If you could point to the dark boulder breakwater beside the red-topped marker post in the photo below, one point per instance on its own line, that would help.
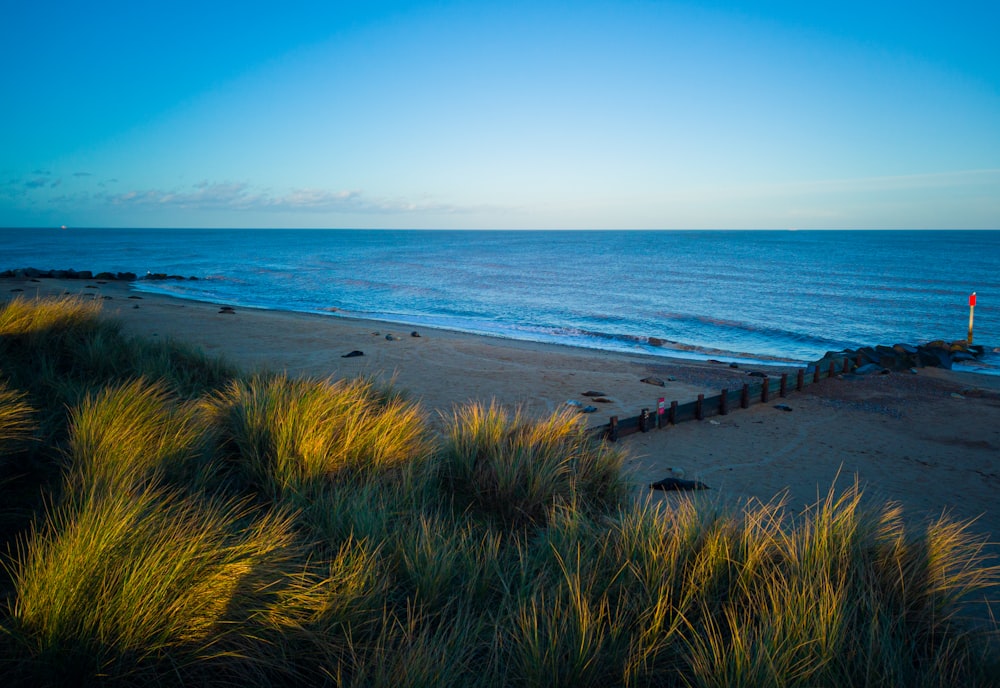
(936, 354)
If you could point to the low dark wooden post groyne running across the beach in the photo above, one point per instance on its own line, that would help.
(761, 390)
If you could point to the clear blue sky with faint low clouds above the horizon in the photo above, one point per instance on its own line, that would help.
(541, 114)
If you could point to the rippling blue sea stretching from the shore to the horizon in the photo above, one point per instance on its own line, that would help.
(736, 296)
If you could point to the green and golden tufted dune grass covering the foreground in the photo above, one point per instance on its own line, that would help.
(200, 527)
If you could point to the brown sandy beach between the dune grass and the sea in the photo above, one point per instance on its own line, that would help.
(929, 441)
